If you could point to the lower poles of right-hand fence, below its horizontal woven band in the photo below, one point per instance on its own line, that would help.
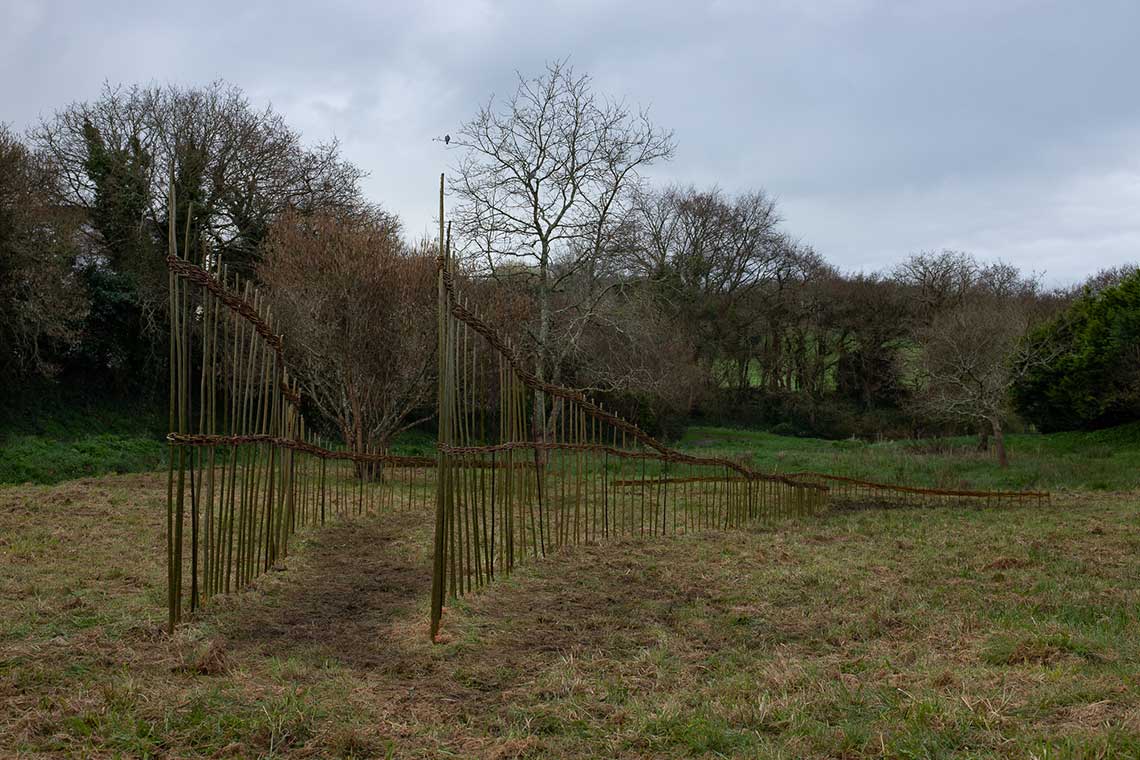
(503, 511)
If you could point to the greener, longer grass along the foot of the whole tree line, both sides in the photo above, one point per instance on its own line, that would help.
(83, 442)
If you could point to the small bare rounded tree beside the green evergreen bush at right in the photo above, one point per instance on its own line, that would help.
(973, 354)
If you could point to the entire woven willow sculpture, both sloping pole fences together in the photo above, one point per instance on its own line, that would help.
(247, 473)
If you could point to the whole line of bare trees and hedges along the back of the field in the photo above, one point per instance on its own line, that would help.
(672, 303)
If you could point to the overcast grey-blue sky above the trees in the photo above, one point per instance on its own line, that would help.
(1008, 129)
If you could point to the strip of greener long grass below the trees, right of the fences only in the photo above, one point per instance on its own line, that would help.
(1103, 461)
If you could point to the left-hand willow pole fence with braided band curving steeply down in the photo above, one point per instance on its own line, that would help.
(246, 473)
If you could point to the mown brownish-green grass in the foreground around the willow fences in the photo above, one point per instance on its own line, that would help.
(874, 634)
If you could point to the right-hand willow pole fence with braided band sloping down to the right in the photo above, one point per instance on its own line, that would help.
(527, 468)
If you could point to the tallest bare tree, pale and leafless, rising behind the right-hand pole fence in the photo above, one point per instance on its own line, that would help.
(545, 184)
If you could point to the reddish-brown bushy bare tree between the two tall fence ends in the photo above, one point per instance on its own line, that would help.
(356, 307)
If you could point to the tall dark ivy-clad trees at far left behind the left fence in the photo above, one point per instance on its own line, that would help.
(95, 181)
